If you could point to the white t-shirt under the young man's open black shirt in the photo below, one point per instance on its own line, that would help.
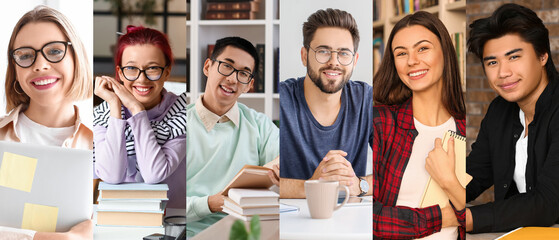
(521, 156)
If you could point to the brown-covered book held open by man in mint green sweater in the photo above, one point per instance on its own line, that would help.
(250, 176)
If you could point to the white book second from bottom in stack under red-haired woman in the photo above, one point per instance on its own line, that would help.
(131, 204)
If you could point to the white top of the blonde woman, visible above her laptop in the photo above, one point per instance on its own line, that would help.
(29, 131)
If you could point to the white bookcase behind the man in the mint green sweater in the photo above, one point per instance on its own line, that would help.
(264, 29)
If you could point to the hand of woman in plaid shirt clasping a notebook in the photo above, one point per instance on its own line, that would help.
(440, 164)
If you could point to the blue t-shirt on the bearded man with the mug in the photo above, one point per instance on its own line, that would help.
(304, 142)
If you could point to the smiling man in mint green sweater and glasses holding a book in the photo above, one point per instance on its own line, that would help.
(222, 134)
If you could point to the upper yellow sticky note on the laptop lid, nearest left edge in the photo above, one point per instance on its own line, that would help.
(17, 171)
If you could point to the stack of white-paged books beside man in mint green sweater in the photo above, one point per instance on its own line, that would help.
(244, 203)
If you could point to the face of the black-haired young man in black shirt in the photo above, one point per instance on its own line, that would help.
(513, 69)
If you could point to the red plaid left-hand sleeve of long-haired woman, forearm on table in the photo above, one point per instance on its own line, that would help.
(398, 222)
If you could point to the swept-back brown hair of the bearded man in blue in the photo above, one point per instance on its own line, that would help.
(330, 18)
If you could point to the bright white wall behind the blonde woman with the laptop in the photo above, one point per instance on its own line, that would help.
(80, 14)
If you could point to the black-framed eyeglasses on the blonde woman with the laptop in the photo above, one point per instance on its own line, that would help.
(53, 52)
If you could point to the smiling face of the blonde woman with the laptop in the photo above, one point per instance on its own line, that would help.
(44, 82)
